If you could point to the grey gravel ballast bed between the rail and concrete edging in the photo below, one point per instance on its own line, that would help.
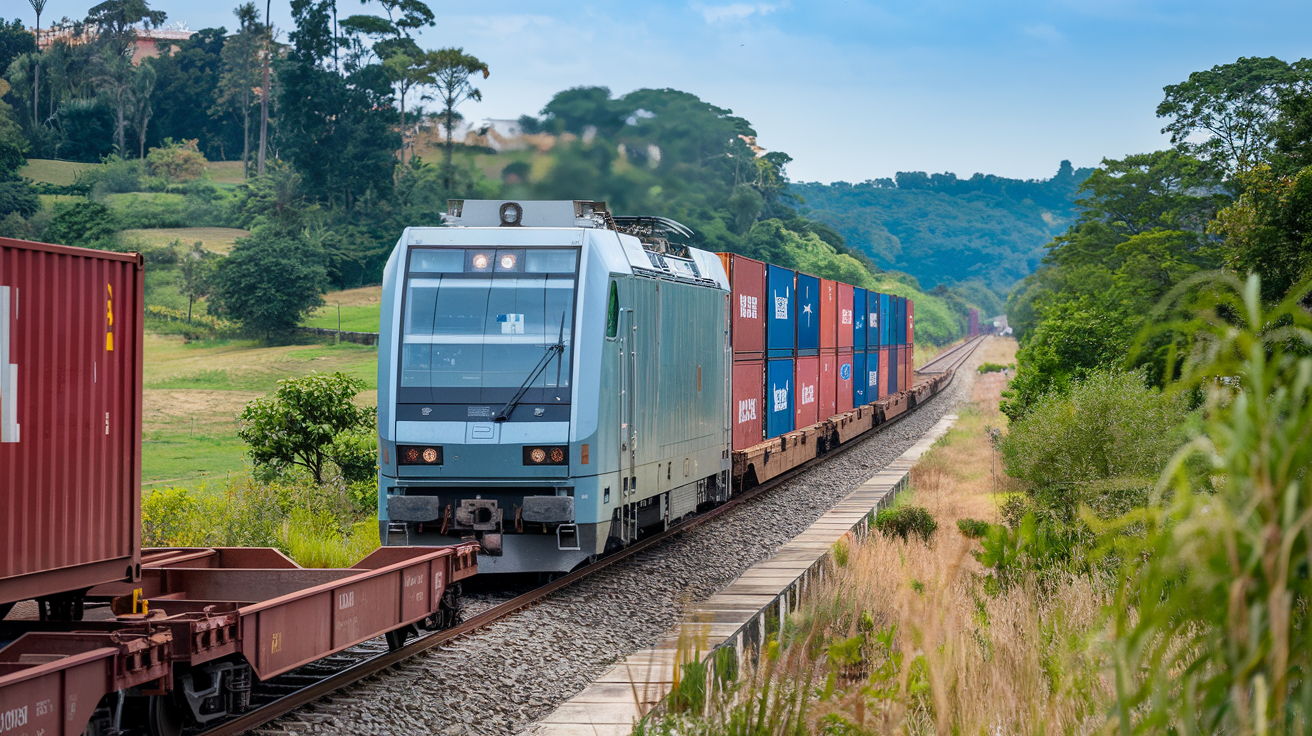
(503, 679)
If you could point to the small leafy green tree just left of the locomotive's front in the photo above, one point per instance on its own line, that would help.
(309, 422)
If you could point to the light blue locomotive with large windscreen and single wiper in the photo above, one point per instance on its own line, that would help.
(553, 381)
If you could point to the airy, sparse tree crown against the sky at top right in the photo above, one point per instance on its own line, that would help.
(1234, 107)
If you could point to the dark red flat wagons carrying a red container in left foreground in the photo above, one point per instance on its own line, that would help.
(98, 636)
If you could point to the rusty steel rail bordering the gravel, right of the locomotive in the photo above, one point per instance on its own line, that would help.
(355, 674)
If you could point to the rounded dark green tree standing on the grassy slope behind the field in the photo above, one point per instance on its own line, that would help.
(271, 281)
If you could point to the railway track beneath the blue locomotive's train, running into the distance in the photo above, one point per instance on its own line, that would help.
(312, 683)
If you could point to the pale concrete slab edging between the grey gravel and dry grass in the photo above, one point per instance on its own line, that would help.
(738, 617)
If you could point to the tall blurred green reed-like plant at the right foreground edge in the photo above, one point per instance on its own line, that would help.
(1210, 626)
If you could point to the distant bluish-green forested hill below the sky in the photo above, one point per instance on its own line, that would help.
(947, 230)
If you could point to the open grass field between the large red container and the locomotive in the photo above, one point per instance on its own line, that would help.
(196, 390)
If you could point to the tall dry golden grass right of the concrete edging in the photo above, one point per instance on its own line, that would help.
(918, 638)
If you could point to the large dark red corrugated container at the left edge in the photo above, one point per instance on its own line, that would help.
(70, 419)
